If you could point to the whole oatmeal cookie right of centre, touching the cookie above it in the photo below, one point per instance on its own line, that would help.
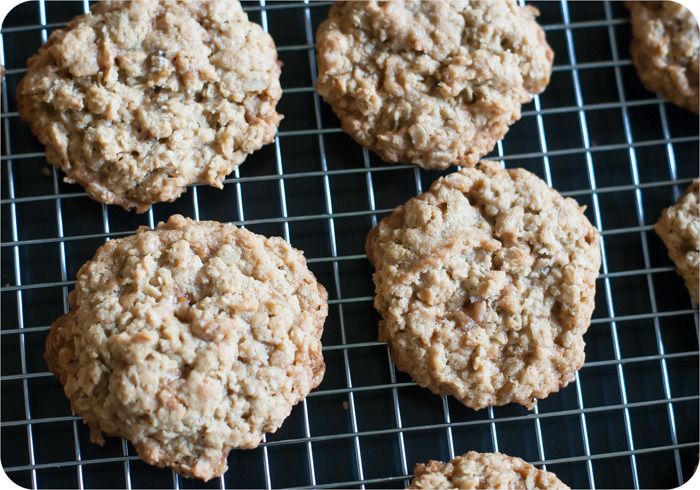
(486, 285)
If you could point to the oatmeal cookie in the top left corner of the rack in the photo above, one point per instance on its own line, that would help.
(136, 100)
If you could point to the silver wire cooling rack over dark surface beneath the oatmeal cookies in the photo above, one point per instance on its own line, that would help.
(631, 418)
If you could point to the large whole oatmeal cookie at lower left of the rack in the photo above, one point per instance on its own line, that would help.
(189, 340)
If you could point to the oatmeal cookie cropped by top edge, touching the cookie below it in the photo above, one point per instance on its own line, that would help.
(432, 83)
